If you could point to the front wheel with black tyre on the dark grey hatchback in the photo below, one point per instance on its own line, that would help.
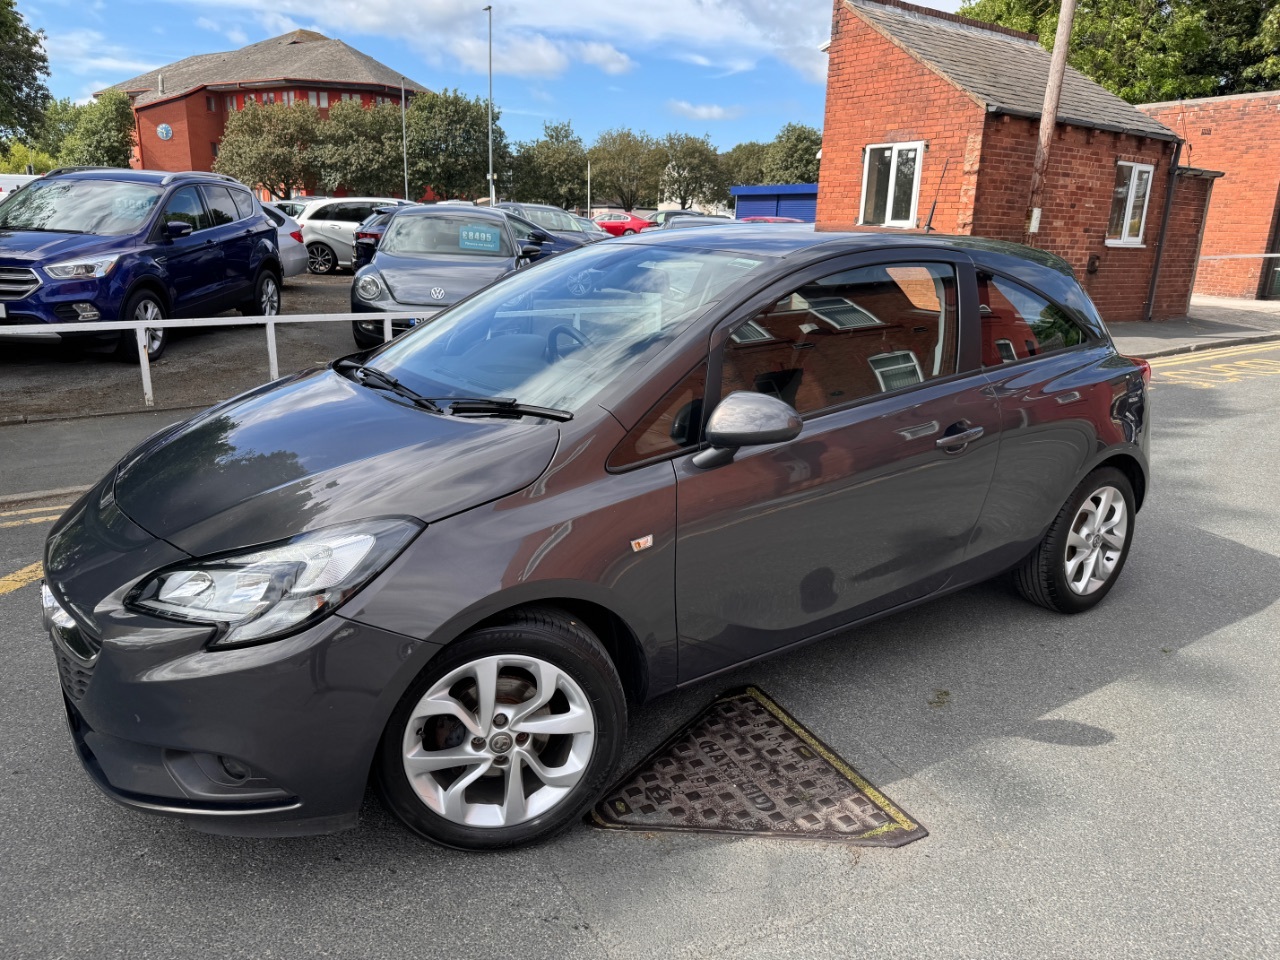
(508, 737)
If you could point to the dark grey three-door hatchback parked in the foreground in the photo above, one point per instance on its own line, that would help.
(456, 563)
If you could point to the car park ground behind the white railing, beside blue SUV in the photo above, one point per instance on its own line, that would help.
(199, 368)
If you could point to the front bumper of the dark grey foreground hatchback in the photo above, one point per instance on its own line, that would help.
(268, 740)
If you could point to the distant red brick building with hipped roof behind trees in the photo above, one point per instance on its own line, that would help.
(182, 109)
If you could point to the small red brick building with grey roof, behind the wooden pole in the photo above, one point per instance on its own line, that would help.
(936, 116)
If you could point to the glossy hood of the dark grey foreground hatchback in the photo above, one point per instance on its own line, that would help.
(314, 451)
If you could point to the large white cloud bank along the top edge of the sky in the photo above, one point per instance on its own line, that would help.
(543, 40)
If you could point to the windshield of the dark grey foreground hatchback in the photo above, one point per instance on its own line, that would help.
(557, 335)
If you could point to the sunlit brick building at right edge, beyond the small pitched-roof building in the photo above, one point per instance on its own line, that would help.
(1240, 135)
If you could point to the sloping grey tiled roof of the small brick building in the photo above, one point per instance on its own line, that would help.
(1005, 74)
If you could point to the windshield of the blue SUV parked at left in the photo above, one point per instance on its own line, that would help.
(102, 208)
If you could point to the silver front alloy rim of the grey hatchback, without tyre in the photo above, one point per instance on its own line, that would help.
(499, 742)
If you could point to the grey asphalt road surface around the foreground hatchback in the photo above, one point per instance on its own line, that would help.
(1100, 787)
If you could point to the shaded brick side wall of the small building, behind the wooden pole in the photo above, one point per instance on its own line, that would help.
(1078, 189)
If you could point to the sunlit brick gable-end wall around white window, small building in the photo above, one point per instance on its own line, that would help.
(880, 94)
